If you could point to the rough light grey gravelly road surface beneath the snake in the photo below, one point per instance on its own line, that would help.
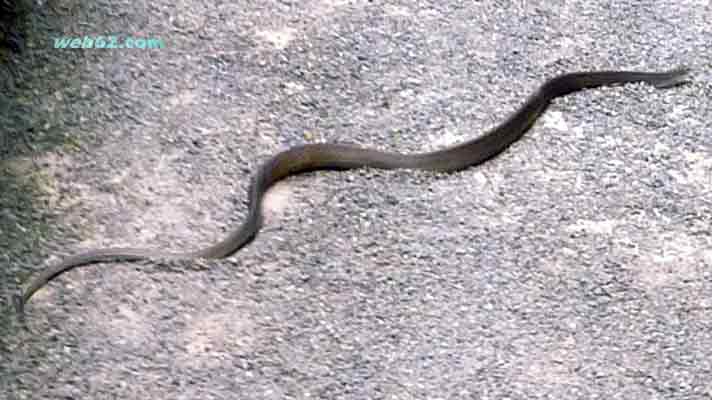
(578, 264)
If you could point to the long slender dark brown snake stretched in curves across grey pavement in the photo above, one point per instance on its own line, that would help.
(335, 156)
